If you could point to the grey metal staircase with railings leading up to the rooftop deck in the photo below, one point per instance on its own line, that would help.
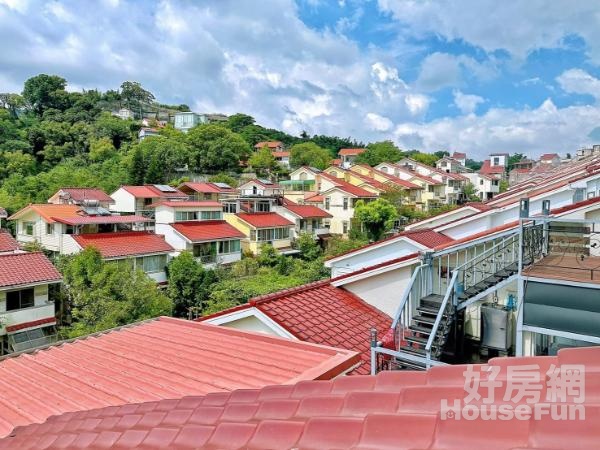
(427, 314)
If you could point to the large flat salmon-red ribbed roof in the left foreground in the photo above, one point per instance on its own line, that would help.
(162, 359)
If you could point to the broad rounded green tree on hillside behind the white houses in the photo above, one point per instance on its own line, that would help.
(215, 148)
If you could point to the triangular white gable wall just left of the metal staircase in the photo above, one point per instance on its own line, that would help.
(383, 291)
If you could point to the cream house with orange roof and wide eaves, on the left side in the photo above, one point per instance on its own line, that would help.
(53, 226)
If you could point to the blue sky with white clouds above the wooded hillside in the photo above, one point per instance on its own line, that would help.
(477, 76)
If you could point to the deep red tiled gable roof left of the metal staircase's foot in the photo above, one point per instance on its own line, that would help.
(323, 314)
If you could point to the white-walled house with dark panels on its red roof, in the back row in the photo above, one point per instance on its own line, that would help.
(138, 199)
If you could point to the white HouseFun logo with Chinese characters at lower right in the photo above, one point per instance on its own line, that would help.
(524, 394)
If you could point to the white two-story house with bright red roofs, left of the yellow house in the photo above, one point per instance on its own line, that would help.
(198, 227)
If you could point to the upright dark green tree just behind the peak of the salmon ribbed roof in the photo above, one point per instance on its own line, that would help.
(186, 284)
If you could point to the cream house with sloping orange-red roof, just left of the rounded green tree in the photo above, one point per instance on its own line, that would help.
(339, 199)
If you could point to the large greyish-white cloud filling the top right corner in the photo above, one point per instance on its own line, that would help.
(518, 26)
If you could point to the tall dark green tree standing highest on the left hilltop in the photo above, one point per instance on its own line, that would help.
(43, 92)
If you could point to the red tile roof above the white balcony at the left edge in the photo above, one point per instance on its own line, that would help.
(26, 268)
